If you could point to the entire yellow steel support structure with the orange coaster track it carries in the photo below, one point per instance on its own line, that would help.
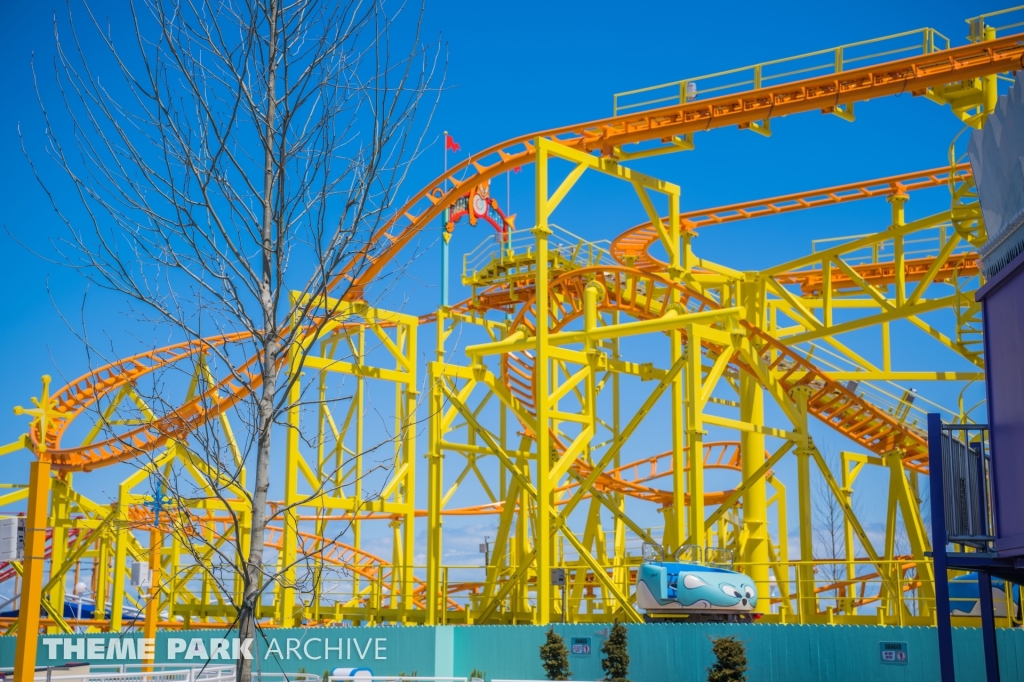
(588, 399)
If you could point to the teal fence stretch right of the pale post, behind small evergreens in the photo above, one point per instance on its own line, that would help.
(777, 654)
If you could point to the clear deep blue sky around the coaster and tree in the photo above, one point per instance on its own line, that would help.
(515, 68)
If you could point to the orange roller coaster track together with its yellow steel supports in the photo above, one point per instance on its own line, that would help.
(755, 334)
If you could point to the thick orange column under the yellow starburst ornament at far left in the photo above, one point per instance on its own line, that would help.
(33, 568)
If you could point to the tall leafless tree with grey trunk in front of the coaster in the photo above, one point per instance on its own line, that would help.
(224, 163)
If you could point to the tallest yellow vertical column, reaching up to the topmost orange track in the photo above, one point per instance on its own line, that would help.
(545, 493)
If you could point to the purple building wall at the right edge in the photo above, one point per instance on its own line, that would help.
(1003, 305)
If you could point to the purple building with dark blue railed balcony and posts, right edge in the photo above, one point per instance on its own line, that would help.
(977, 473)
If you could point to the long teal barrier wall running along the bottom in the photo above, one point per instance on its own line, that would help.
(659, 652)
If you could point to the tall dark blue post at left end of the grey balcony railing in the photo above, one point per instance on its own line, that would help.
(947, 671)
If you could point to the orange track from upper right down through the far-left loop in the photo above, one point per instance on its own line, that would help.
(914, 74)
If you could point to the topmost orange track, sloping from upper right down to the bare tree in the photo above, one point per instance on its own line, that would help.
(915, 75)
